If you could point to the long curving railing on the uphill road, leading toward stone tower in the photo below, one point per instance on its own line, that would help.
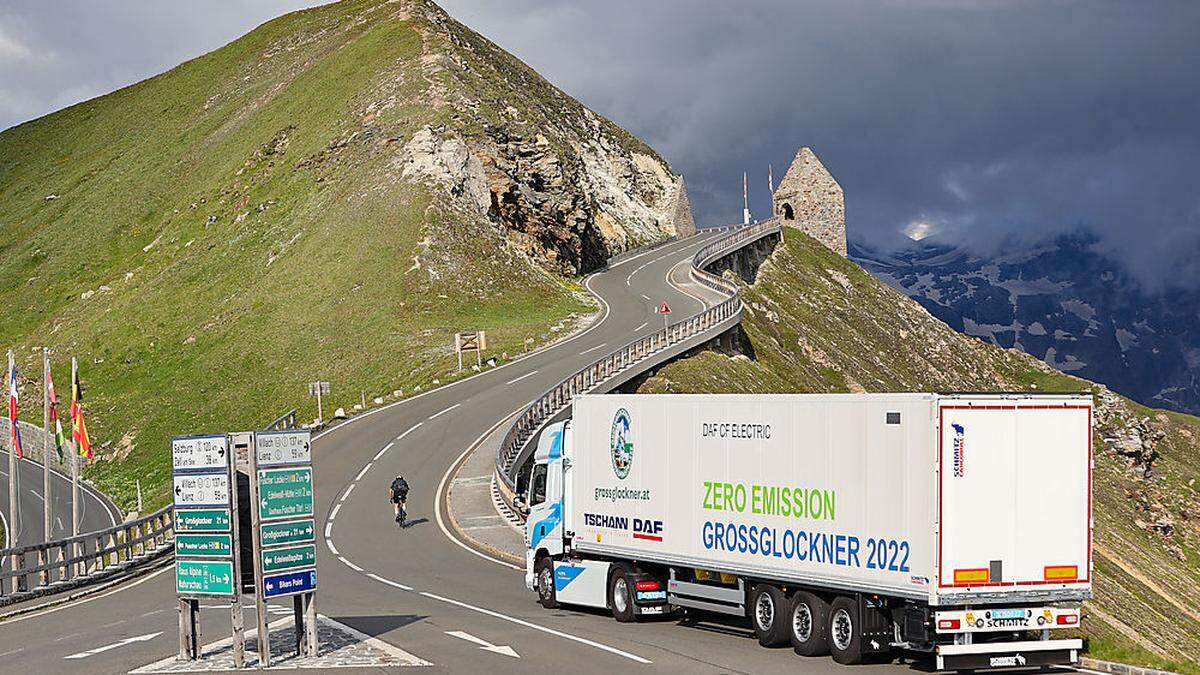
(635, 355)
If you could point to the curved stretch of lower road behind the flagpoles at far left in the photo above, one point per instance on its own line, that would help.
(95, 511)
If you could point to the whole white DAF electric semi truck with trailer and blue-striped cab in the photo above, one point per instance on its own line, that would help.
(958, 525)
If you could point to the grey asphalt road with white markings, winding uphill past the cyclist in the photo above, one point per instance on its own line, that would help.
(415, 587)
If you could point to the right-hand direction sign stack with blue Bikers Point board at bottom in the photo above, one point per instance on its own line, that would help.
(285, 534)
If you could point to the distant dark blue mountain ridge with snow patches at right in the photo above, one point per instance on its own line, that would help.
(1066, 303)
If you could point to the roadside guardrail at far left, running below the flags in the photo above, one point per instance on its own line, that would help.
(38, 570)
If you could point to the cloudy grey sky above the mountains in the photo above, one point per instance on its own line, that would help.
(987, 120)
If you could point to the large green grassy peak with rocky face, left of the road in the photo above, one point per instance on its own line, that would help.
(290, 208)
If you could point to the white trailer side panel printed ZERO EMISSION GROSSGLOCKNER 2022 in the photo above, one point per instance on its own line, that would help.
(829, 489)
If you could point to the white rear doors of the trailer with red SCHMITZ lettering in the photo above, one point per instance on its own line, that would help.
(1015, 505)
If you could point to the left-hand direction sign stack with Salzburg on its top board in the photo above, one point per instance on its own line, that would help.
(207, 554)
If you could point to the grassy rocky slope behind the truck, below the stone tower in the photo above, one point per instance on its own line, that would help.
(817, 322)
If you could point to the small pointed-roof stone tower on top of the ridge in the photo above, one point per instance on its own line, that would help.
(812, 201)
